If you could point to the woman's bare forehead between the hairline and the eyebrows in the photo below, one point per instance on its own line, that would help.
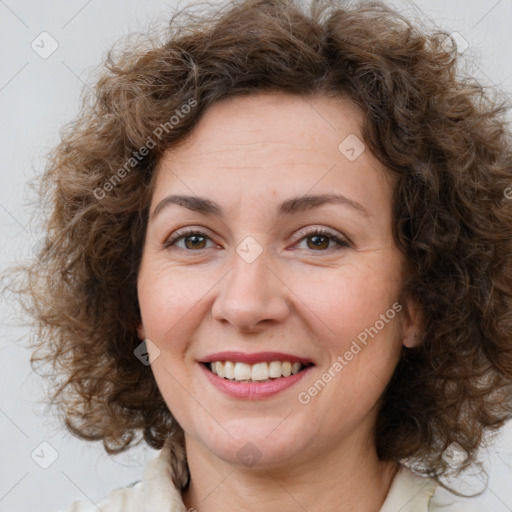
(274, 143)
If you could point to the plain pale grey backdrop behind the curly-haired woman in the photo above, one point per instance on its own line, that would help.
(37, 96)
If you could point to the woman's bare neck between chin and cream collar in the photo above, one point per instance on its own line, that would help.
(343, 480)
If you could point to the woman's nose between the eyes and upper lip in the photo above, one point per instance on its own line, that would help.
(252, 295)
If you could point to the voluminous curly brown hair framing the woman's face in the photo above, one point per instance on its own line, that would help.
(443, 136)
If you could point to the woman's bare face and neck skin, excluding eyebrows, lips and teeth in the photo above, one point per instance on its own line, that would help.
(248, 155)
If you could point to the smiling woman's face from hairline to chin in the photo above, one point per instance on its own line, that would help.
(253, 289)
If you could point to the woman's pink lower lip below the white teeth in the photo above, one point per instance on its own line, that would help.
(253, 390)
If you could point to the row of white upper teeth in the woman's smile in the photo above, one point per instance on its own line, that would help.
(256, 372)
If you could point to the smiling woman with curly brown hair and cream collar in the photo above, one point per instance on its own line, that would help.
(279, 250)
